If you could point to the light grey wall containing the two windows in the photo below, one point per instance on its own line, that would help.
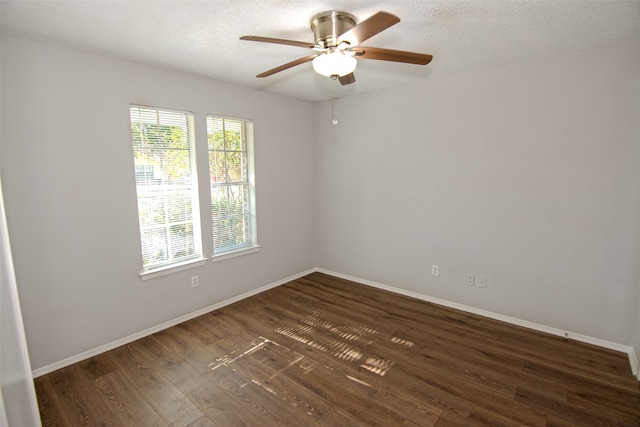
(67, 172)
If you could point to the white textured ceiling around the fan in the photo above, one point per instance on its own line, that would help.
(202, 37)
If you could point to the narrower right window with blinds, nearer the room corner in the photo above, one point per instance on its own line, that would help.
(232, 181)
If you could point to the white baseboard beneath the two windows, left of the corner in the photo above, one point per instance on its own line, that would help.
(128, 339)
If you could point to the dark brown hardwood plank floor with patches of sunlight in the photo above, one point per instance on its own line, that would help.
(325, 351)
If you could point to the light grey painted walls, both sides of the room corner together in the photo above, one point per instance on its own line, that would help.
(525, 173)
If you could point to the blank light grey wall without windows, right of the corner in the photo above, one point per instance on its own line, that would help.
(526, 173)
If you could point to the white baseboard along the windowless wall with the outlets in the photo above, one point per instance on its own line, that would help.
(512, 320)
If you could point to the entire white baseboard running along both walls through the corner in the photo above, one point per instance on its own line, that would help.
(633, 360)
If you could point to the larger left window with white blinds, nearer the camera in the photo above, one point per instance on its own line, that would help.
(166, 184)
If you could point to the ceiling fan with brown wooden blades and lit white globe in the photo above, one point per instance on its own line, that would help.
(337, 43)
